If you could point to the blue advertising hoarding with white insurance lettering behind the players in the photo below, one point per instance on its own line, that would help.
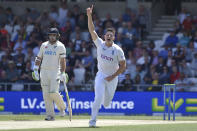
(128, 103)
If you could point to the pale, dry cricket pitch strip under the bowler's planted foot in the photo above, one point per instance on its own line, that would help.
(25, 124)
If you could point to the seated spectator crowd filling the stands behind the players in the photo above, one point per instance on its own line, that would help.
(174, 62)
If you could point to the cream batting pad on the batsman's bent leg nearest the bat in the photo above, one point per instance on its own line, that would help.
(57, 98)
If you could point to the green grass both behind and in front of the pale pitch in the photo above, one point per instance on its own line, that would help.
(153, 127)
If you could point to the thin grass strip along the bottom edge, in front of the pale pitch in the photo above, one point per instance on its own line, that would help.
(174, 127)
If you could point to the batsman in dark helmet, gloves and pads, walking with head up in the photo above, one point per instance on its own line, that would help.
(52, 56)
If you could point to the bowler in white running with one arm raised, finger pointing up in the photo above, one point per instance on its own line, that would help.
(111, 63)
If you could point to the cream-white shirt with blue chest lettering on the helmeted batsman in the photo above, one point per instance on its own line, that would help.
(51, 55)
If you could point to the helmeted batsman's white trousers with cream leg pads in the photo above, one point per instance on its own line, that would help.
(50, 90)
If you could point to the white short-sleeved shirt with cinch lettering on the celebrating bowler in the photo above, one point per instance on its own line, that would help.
(108, 57)
